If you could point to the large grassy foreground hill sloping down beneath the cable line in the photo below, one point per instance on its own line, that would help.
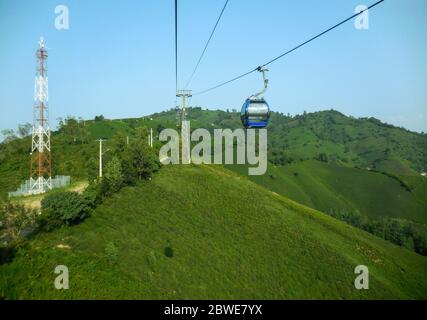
(205, 232)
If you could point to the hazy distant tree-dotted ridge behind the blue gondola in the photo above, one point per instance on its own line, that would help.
(330, 136)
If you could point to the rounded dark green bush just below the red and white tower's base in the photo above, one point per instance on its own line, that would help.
(64, 208)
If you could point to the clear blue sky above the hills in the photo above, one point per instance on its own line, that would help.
(117, 58)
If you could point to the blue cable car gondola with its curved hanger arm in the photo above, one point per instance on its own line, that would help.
(255, 112)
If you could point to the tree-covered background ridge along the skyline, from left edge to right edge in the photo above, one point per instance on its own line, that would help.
(327, 135)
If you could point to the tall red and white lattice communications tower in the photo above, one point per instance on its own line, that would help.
(41, 175)
